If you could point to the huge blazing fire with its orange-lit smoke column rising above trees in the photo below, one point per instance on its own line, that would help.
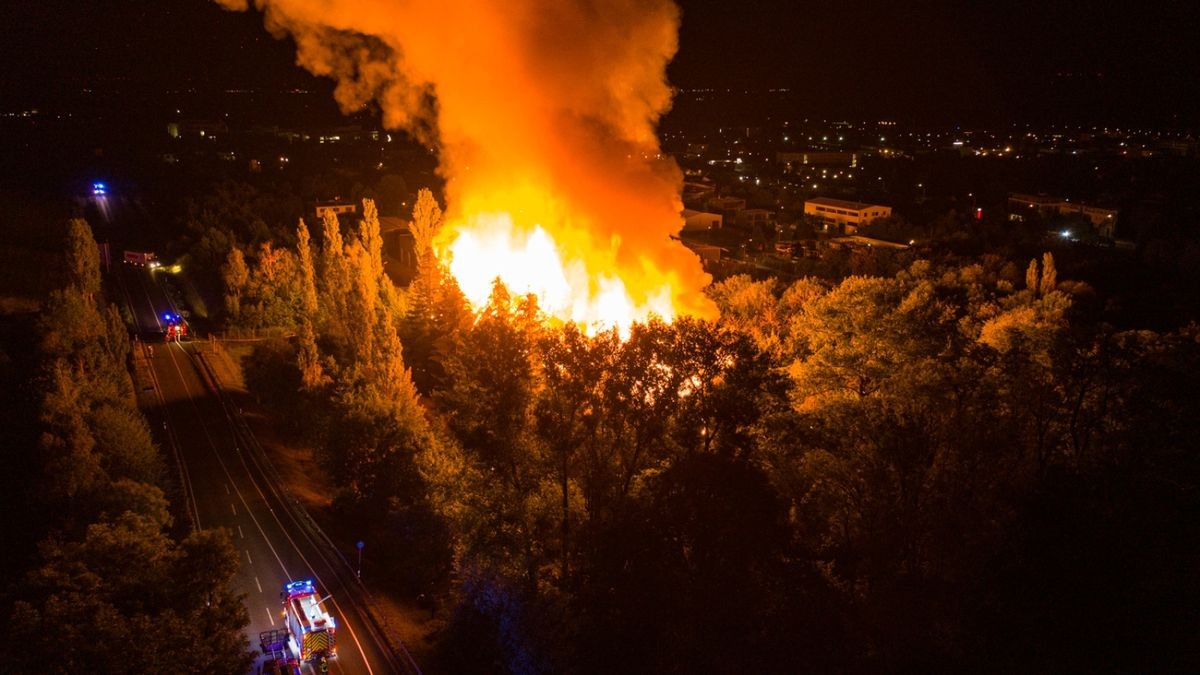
(544, 116)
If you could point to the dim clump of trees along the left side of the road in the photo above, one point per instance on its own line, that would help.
(115, 587)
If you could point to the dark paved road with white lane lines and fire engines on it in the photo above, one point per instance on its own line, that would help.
(229, 486)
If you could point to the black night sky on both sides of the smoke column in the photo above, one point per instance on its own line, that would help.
(939, 61)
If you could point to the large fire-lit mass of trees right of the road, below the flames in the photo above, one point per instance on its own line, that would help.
(953, 468)
